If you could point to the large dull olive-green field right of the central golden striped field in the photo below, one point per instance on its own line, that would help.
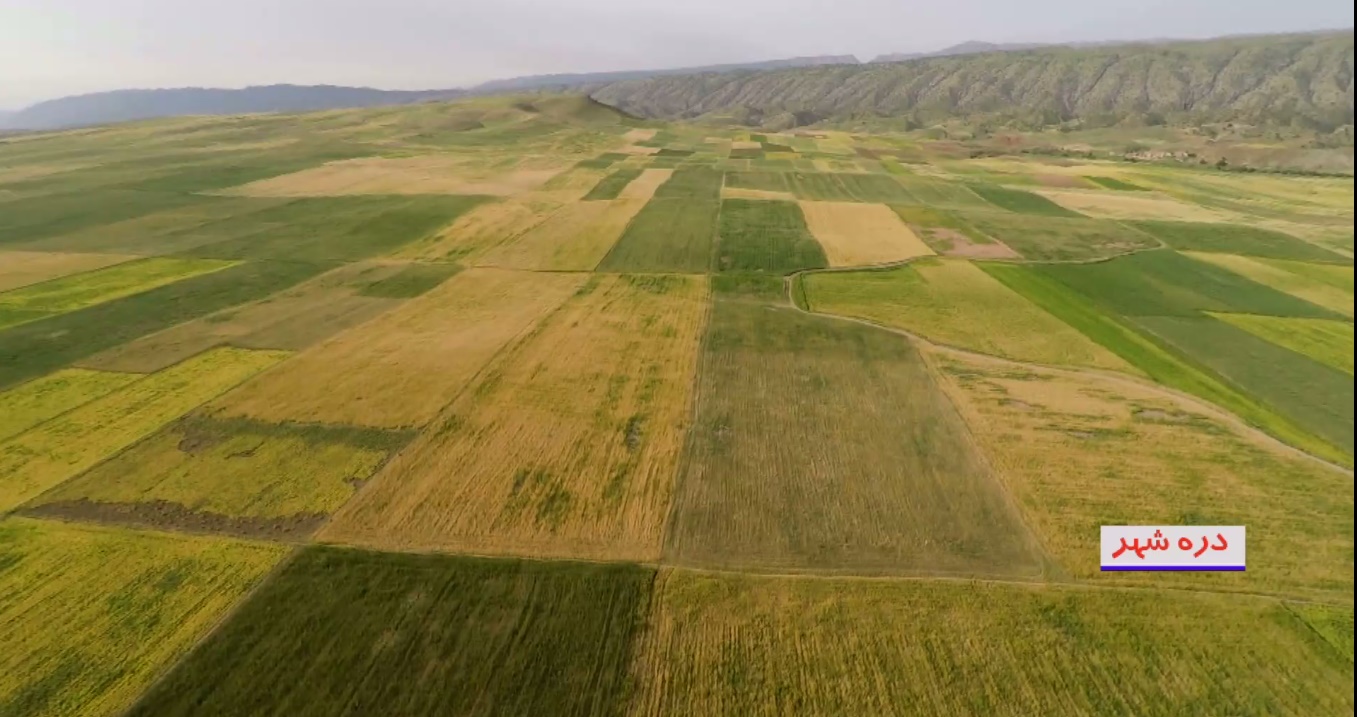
(900, 488)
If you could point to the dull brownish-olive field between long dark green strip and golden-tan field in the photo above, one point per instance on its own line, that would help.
(295, 320)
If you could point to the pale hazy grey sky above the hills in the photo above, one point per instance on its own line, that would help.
(54, 48)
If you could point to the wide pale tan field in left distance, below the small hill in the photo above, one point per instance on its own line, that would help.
(398, 176)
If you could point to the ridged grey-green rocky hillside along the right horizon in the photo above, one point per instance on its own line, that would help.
(1280, 79)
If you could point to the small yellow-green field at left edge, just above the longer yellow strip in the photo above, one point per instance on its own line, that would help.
(33, 403)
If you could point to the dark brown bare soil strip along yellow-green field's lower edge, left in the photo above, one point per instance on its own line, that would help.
(166, 515)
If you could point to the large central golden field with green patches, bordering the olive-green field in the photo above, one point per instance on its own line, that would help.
(568, 447)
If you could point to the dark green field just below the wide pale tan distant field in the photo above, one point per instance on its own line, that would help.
(336, 229)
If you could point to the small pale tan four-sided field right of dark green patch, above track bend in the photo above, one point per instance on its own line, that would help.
(857, 234)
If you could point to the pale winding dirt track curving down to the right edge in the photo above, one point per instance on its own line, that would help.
(1244, 427)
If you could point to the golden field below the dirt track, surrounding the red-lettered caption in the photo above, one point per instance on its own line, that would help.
(1082, 450)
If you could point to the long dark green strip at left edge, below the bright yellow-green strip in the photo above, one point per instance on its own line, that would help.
(50, 344)
